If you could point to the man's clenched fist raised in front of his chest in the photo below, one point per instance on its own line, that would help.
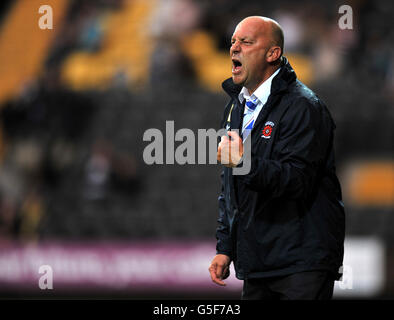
(230, 150)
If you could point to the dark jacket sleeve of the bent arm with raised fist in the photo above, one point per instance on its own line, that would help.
(299, 150)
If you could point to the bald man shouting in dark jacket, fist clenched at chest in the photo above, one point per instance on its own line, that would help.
(282, 224)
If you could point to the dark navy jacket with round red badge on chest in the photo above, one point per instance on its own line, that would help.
(286, 215)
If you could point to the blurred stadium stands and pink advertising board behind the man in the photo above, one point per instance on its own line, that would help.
(75, 101)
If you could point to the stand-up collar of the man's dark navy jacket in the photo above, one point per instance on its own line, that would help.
(280, 83)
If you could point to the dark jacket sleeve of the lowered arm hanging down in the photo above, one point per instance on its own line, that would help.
(224, 242)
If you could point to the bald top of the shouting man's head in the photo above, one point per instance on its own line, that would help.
(267, 27)
